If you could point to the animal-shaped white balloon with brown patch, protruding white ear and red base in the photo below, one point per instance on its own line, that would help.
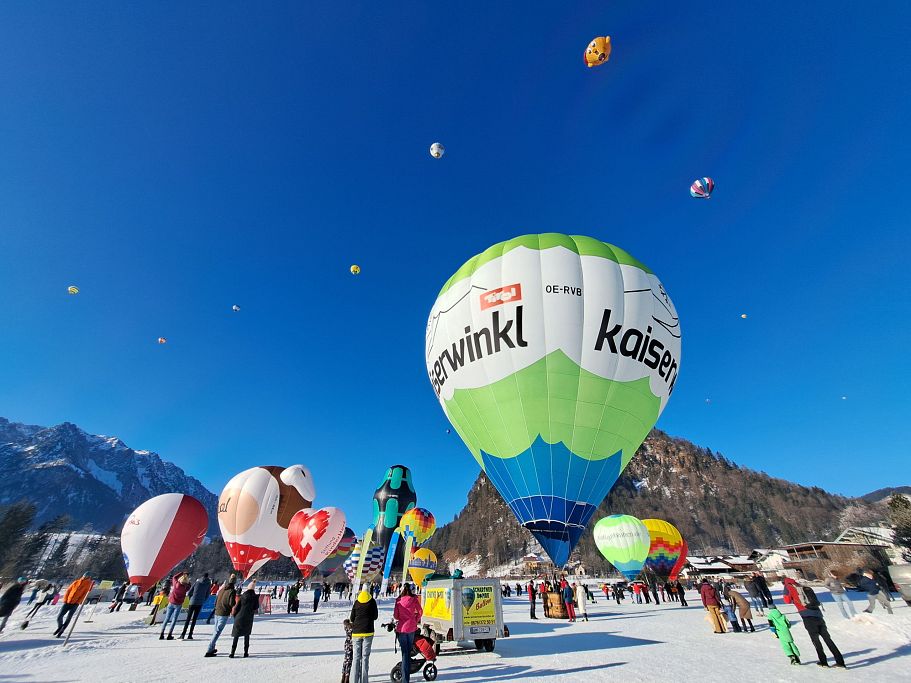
(254, 511)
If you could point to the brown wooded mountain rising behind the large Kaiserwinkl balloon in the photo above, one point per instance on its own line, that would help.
(718, 507)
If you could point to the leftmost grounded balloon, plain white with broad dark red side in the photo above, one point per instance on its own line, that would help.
(160, 534)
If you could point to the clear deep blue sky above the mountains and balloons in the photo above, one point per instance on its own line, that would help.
(173, 159)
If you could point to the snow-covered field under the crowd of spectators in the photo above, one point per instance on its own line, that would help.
(627, 642)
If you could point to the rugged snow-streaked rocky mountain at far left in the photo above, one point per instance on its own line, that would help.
(96, 480)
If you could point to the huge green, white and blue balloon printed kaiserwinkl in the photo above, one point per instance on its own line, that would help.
(553, 356)
